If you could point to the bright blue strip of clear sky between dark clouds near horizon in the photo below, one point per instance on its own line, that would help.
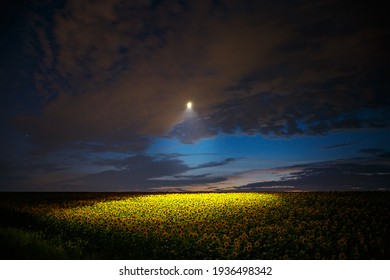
(257, 158)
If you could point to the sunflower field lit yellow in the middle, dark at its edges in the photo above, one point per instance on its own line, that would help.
(195, 225)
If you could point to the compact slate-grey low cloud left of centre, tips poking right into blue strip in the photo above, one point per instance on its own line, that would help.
(144, 173)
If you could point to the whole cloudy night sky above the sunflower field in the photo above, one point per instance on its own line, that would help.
(287, 95)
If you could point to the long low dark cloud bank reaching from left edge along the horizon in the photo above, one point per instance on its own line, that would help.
(133, 173)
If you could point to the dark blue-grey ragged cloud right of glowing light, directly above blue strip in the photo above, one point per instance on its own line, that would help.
(289, 114)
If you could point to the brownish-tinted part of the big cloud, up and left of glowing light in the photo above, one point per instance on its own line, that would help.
(139, 79)
